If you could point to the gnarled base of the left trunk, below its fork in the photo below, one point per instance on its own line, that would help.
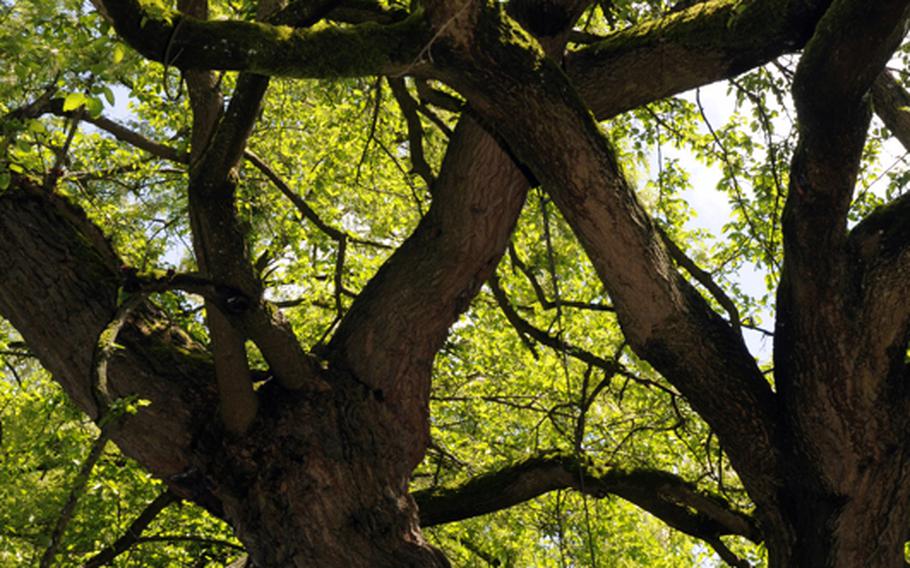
(317, 482)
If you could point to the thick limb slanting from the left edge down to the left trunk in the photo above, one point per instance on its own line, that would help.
(58, 288)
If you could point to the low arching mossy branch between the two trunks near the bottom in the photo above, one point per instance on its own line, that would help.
(666, 496)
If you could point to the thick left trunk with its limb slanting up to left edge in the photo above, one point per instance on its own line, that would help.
(320, 479)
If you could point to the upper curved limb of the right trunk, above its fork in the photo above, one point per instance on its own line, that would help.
(852, 43)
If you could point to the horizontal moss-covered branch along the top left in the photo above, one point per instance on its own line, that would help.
(193, 43)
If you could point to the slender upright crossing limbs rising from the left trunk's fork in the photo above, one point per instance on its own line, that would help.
(220, 244)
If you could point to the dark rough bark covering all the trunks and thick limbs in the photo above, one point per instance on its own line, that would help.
(320, 476)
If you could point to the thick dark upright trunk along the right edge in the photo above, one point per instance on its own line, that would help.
(841, 336)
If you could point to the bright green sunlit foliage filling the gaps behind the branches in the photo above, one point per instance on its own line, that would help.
(499, 394)
